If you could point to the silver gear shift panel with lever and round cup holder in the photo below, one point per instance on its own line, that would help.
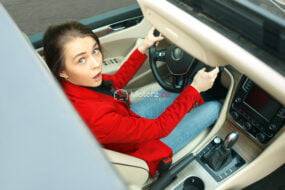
(214, 163)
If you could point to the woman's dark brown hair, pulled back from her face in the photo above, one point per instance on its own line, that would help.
(56, 37)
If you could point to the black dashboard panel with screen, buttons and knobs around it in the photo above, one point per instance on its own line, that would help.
(256, 112)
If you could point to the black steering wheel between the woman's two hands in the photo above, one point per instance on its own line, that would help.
(181, 67)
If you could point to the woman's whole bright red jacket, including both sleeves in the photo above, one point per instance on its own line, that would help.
(117, 128)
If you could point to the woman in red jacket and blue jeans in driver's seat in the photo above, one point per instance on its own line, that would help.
(73, 54)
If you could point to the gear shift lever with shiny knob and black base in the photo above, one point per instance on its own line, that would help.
(220, 154)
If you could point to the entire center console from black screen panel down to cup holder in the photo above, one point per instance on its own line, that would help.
(257, 114)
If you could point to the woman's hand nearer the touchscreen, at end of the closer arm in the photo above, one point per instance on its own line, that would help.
(203, 80)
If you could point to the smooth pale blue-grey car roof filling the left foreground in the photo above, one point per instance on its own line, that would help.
(44, 144)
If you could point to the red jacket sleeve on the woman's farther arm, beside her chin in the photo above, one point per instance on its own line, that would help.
(126, 72)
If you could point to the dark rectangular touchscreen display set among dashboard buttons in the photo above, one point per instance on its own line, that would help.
(262, 103)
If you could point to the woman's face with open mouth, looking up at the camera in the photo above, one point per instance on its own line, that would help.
(83, 62)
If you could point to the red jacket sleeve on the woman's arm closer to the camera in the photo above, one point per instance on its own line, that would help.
(112, 127)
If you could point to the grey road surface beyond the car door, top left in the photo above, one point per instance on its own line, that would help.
(35, 16)
